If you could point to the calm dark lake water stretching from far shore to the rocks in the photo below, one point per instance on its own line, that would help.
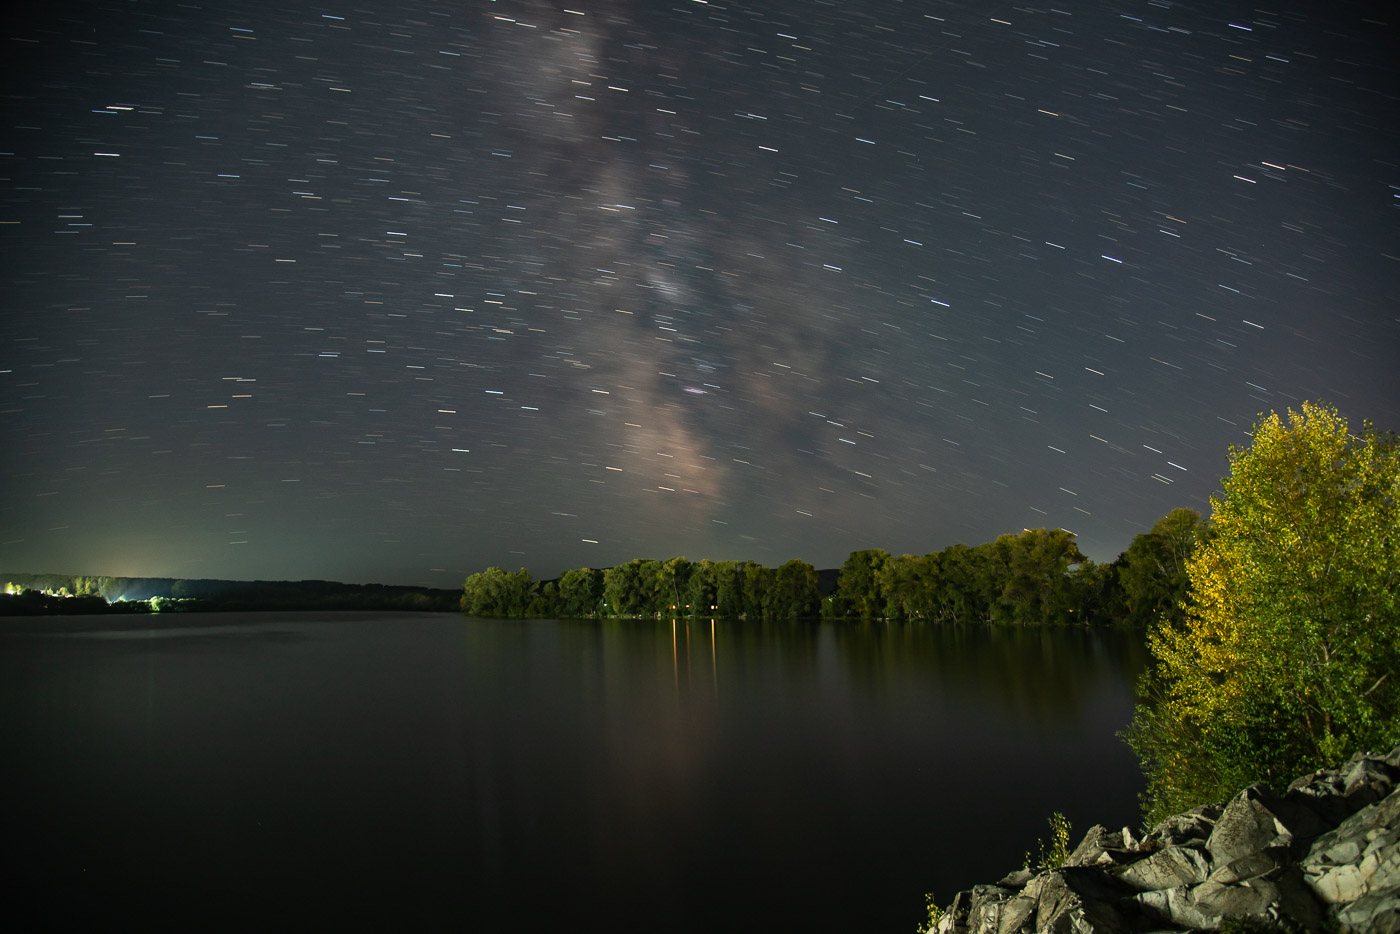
(264, 772)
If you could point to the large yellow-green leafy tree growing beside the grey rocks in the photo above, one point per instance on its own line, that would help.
(1289, 653)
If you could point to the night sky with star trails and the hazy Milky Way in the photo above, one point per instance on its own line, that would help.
(394, 292)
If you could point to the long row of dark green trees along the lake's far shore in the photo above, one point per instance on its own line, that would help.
(1032, 578)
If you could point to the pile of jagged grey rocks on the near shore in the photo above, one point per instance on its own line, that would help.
(1325, 855)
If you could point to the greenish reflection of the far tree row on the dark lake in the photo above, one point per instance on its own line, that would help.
(1025, 671)
